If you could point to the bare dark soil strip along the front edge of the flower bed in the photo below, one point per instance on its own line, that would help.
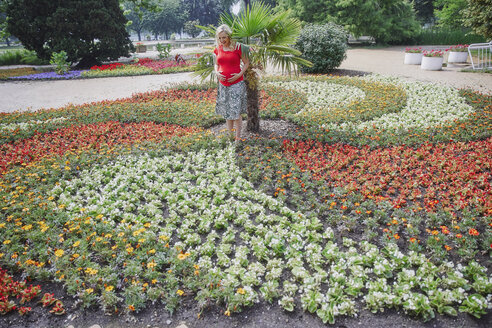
(262, 315)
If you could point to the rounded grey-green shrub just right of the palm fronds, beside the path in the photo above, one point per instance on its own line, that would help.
(324, 45)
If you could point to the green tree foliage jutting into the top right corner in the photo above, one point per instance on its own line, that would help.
(478, 15)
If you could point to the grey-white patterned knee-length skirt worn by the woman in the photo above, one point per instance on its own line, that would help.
(231, 101)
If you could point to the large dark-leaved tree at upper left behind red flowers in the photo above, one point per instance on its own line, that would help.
(89, 31)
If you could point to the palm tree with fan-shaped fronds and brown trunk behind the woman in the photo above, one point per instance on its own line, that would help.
(268, 35)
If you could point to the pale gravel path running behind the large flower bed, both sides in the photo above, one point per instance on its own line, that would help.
(34, 95)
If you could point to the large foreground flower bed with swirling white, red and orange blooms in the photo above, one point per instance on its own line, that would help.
(380, 199)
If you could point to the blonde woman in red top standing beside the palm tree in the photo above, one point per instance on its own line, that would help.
(231, 96)
